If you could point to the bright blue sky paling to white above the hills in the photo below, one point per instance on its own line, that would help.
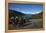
(26, 8)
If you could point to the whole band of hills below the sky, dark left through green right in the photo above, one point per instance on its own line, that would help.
(27, 16)
